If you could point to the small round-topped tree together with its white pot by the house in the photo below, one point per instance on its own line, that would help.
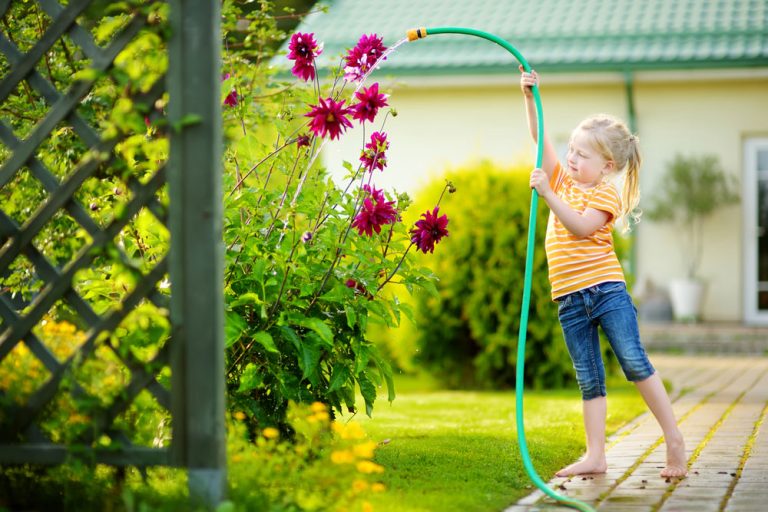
(692, 189)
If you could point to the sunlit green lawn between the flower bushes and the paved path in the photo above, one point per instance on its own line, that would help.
(457, 450)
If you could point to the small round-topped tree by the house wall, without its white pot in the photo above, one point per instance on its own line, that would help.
(692, 189)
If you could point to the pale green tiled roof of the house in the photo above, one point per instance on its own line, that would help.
(555, 35)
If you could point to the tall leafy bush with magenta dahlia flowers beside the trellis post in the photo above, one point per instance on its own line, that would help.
(307, 257)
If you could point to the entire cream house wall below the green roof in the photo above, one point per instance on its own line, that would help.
(447, 125)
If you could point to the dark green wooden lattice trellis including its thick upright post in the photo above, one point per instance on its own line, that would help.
(184, 373)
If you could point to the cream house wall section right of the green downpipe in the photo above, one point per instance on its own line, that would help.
(698, 118)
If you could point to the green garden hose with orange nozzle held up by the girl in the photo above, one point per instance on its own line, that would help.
(420, 33)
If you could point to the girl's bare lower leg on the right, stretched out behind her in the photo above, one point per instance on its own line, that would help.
(654, 394)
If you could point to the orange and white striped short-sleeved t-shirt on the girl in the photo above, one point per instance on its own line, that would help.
(578, 263)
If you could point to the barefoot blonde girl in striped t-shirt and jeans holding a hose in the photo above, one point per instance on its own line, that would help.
(587, 279)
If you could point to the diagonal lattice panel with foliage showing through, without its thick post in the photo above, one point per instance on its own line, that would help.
(84, 288)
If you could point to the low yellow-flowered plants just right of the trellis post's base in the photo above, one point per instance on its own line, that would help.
(327, 466)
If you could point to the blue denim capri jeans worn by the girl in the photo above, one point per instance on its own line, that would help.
(609, 306)
